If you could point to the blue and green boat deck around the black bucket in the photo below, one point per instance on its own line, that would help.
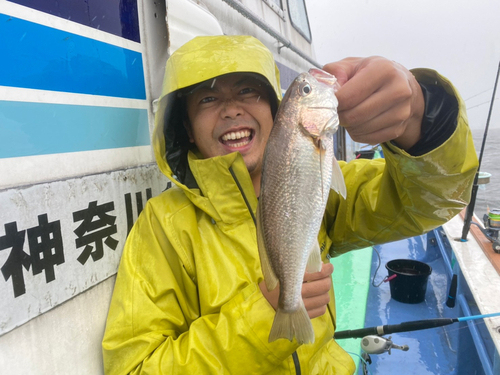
(459, 348)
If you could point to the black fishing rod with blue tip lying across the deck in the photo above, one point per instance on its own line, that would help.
(415, 325)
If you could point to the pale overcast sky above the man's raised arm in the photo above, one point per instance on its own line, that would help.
(458, 38)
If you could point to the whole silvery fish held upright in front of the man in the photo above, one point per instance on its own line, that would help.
(299, 168)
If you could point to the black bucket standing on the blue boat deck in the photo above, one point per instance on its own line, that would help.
(410, 283)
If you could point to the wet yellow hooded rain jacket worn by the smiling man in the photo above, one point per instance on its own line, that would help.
(187, 300)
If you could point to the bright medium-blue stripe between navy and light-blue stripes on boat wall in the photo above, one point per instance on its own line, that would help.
(40, 57)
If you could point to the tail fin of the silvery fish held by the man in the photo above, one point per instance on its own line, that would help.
(288, 325)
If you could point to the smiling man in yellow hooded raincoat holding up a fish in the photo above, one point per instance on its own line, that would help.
(188, 297)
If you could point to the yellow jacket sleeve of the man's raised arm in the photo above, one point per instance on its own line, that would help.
(403, 196)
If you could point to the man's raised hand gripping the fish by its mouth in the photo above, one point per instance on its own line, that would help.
(379, 101)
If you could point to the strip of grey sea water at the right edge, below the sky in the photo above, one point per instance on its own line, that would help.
(488, 196)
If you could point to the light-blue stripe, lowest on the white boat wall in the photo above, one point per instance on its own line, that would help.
(28, 129)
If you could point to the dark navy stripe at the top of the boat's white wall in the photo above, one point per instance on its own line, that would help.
(118, 17)
